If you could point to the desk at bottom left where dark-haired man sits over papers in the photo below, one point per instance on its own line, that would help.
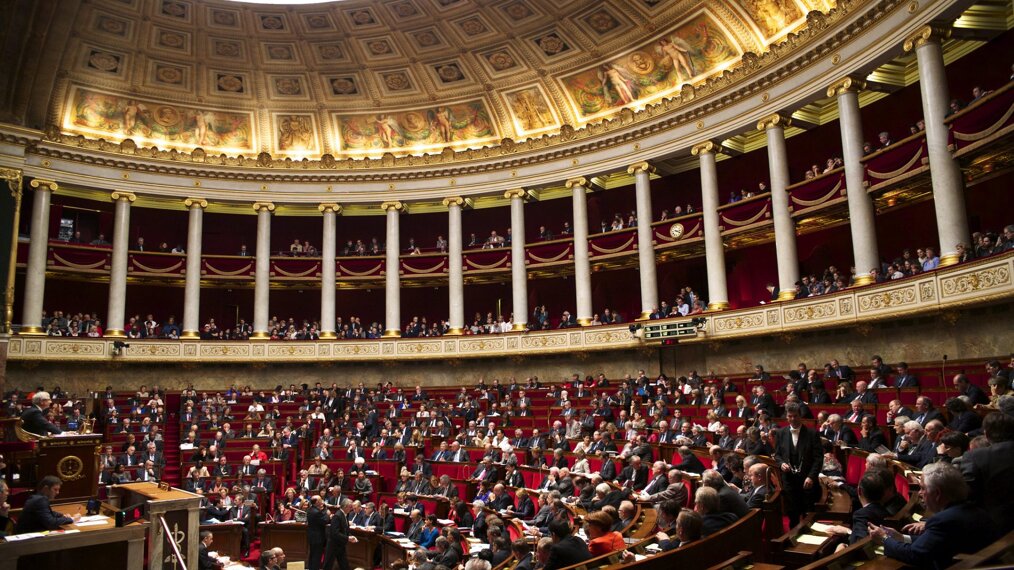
(99, 547)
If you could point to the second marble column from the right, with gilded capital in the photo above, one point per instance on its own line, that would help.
(861, 215)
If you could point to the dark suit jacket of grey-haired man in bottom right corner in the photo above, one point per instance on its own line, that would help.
(956, 530)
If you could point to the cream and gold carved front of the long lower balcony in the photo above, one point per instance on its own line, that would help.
(981, 282)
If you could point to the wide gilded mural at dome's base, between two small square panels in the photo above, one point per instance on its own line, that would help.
(451, 125)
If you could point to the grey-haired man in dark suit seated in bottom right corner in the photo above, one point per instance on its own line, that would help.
(957, 527)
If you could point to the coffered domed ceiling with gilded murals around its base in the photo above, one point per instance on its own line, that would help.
(358, 79)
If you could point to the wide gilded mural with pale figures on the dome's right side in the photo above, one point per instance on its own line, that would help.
(687, 54)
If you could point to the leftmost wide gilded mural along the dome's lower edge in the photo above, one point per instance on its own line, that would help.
(114, 116)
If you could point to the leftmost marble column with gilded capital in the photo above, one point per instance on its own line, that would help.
(35, 278)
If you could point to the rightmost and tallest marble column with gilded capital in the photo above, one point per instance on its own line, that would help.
(946, 176)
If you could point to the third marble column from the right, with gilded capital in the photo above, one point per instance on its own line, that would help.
(785, 229)
